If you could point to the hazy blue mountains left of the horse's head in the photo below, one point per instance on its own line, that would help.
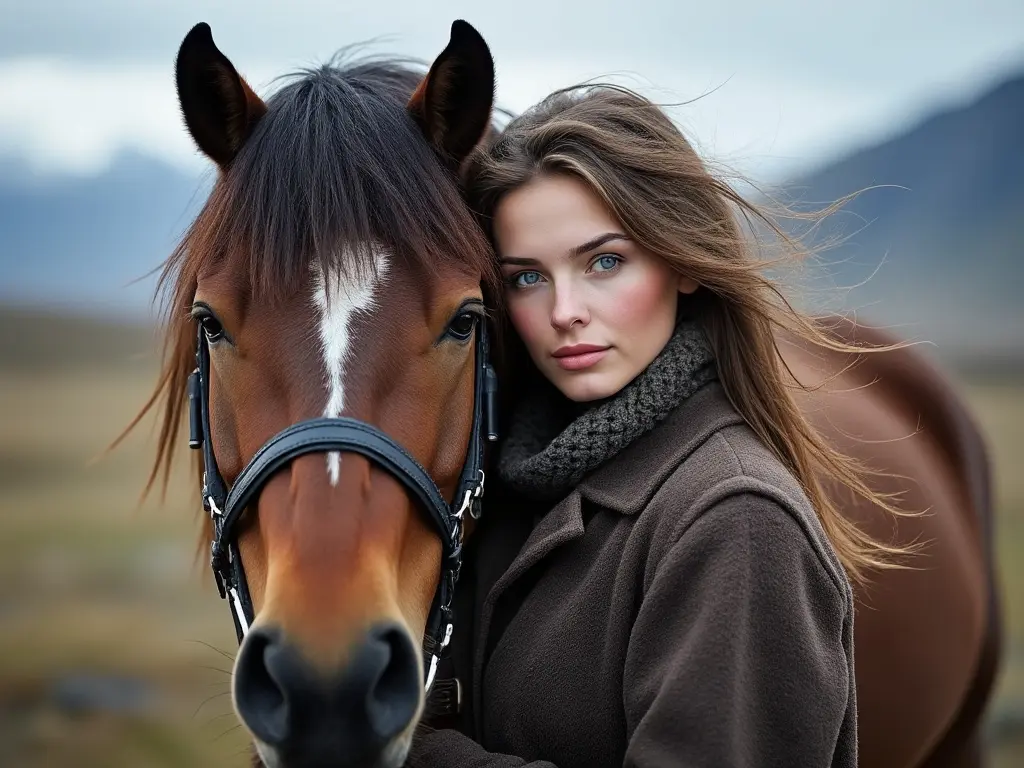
(91, 244)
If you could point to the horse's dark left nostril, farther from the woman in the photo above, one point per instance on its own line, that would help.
(260, 692)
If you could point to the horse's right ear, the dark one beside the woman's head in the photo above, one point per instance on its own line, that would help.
(453, 103)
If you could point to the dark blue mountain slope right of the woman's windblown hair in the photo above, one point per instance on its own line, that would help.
(935, 240)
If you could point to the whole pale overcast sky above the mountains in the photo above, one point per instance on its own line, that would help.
(790, 83)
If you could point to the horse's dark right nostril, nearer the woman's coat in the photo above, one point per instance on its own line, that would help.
(394, 698)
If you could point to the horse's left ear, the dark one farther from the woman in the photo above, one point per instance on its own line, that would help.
(220, 108)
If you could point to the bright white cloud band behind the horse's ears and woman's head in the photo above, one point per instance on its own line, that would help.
(75, 118)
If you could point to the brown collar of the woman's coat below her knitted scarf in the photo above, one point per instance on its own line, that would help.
(627, 483)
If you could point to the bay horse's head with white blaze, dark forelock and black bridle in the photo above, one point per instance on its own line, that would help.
(328, 331)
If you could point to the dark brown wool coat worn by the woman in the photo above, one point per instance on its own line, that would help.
(680, 608)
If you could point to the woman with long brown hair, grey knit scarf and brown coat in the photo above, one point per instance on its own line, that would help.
(659, 579)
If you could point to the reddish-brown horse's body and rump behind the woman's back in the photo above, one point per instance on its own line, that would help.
(926, 637)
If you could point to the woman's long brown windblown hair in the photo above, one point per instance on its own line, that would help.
(629, 152)
